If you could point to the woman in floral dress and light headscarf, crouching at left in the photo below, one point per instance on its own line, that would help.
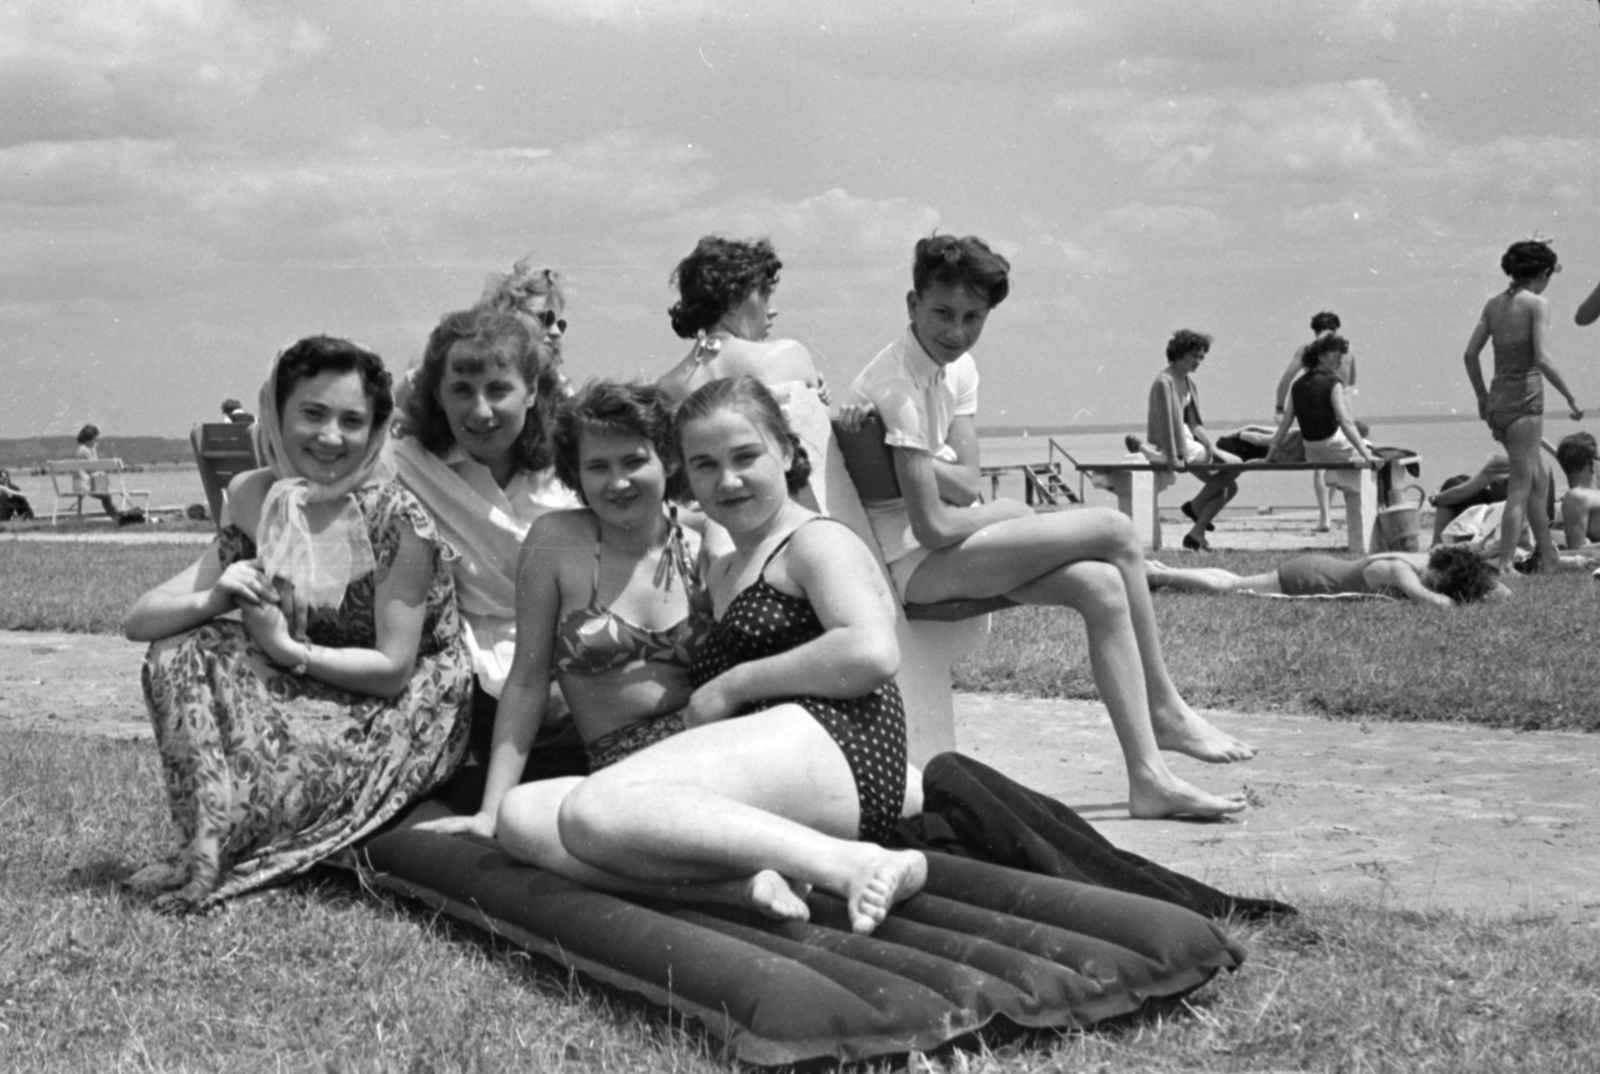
(338, 694)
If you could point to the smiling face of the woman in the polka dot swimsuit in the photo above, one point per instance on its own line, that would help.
(735, 470)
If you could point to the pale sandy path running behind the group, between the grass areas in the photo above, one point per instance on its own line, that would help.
(1414, 816)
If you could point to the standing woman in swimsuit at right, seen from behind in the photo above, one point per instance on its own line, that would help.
(1518, 321)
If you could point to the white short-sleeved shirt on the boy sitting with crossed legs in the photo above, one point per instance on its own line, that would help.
(918, 401)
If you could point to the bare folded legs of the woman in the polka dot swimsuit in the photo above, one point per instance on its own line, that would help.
(729, 801)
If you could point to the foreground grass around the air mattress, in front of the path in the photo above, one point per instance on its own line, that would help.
(326, 977)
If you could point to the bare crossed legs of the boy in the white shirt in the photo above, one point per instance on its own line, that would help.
(1090, 561)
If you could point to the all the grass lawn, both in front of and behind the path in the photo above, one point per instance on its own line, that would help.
(322, 976)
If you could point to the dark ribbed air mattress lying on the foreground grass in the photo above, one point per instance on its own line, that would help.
(983, 942)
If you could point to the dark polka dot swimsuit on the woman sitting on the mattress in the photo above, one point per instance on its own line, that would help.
(871, 731)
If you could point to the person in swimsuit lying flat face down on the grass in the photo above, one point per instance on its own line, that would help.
(1447, 577)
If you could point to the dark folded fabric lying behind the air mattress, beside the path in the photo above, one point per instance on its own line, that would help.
(970, 811)
